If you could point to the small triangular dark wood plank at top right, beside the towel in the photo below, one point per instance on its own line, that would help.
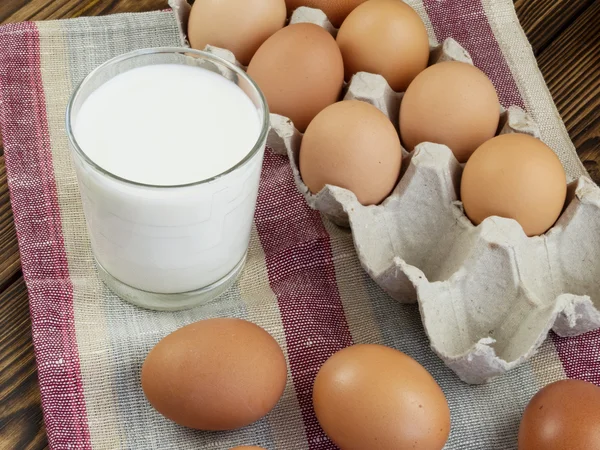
(543, 20)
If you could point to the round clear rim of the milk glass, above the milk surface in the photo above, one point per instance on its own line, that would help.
(258, 145)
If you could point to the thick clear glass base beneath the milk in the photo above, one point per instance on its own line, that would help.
(170, 302)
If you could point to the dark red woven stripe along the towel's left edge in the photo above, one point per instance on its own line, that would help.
(39, 229)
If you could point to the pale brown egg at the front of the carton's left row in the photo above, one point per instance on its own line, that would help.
(353, 145)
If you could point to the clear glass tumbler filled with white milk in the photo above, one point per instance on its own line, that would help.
(167, 144)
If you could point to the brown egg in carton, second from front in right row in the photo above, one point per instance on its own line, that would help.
(450, 103)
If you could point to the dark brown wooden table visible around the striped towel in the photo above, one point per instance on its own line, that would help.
(565, 35)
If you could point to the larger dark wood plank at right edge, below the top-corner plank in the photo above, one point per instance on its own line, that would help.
(571, 67)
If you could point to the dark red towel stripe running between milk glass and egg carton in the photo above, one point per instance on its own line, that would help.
(302, 276)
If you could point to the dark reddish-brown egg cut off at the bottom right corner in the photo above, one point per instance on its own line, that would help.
(563, 416)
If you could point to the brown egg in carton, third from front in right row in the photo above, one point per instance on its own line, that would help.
(386, 37)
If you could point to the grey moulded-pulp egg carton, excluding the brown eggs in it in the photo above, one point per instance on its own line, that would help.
(488, 294)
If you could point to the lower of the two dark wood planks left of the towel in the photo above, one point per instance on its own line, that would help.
(21, 420)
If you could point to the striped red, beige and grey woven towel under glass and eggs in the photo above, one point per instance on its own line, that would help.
(302, 282)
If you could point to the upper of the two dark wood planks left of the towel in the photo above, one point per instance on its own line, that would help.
(10, 262)
